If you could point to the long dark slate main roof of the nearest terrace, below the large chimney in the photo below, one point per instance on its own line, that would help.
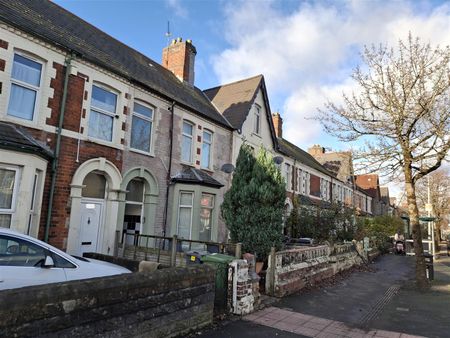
(56, 25)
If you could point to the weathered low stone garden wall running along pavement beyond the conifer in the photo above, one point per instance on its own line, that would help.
(291, 270)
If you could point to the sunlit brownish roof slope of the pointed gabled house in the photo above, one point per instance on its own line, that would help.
(234, 100)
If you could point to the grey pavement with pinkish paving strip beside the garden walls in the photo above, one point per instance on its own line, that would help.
(380, 302)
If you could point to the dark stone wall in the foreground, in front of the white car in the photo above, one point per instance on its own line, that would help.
(163, 303)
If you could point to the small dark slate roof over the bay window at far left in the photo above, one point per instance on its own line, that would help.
(15, 138)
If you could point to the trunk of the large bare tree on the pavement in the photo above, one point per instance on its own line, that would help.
(421, 278)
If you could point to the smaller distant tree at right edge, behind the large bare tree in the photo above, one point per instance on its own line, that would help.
(439, 185)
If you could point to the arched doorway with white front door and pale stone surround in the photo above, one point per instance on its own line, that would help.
(94, 205)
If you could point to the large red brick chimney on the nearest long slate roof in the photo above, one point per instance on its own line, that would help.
(179, 58)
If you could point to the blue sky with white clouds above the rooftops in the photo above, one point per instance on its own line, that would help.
(306, 50)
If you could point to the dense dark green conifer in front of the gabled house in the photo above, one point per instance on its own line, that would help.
(253, 207)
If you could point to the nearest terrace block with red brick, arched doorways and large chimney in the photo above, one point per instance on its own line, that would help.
(96, 138)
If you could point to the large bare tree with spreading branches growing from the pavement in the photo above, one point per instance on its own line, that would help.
(401, 112)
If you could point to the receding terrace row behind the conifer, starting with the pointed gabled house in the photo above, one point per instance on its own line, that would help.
(245, 104)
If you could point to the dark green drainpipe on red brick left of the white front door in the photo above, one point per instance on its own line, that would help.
(55, 161)
